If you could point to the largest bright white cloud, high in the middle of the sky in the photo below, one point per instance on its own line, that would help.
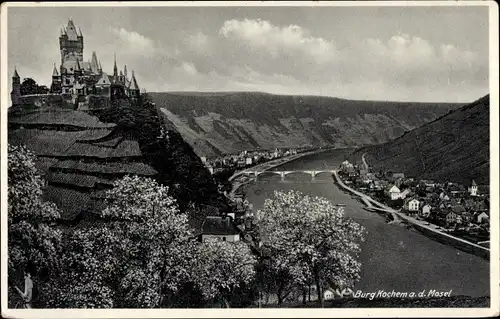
(263, 35)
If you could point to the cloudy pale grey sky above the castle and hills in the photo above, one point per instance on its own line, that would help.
(426, 54)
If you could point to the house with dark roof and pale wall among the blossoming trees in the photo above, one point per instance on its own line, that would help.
(220, 228)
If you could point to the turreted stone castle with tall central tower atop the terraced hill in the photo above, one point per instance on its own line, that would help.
(78, 79)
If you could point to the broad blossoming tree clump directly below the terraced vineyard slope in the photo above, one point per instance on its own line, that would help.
(139, 254)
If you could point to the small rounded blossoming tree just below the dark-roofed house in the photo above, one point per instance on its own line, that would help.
(223, 267)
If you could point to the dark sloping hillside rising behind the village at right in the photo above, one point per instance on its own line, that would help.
(453, 147)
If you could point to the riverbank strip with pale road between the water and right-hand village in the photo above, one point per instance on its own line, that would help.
(422, 228)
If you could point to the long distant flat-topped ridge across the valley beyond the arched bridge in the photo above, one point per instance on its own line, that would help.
(227, 122)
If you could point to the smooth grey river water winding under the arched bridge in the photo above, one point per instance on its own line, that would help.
(393, 257)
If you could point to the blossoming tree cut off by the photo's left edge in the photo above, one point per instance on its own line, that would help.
(34, 244)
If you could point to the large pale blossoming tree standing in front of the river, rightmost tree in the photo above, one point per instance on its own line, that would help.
(309, 239)
